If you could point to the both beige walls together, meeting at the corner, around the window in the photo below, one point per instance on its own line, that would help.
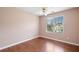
(16, 26)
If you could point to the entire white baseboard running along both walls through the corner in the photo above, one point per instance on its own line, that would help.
(1, 48)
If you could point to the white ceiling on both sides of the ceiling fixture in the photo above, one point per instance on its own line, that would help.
(38, 10)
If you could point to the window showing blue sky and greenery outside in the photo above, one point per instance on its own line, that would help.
(55, 24)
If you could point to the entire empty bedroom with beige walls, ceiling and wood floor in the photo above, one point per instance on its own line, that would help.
(39, 29)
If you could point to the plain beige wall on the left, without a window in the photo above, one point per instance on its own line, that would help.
(16, 26)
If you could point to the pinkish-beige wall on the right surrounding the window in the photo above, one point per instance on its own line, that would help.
(71, 26)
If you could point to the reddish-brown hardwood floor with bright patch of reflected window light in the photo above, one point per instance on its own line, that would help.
(42, 45)
